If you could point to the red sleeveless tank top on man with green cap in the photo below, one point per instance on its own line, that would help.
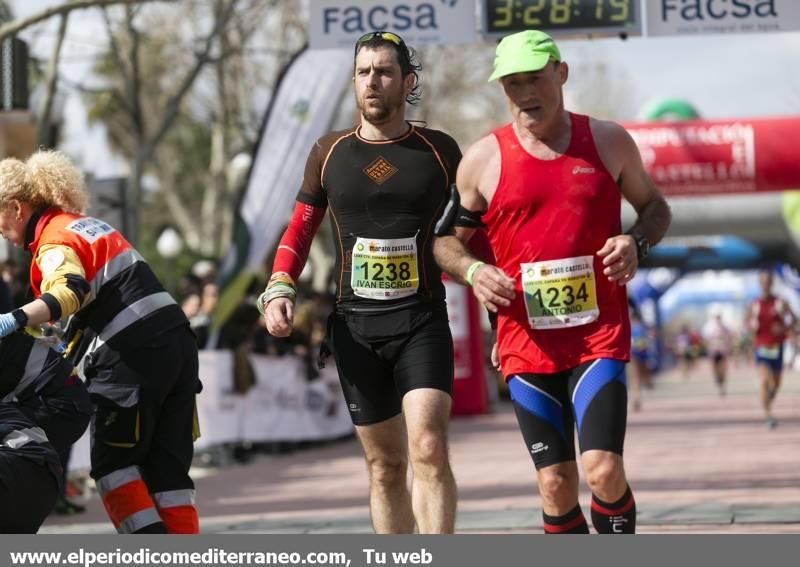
(547, 210)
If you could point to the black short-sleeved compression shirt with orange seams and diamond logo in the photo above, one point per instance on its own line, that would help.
(384, 198)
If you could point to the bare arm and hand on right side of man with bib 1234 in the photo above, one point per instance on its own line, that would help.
(622, 159)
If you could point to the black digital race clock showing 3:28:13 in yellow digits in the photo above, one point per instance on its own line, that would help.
(563, 17)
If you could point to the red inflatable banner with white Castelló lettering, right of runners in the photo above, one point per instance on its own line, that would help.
(704, 157)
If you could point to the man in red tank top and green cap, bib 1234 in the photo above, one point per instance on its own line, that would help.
(548, 186)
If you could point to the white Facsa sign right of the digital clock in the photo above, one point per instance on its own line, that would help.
(696, 17)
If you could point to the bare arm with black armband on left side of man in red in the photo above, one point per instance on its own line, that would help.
(490, 285)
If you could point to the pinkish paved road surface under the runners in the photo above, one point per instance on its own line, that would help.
(697, 463)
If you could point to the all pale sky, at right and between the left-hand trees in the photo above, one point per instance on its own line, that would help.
(743, 75)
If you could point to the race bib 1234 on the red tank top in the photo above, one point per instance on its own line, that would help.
(560, 293)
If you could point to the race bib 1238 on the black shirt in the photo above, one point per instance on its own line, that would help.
(385, 268)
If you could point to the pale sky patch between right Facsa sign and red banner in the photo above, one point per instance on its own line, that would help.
(745, 75)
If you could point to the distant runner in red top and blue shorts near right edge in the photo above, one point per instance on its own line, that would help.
(770, 320)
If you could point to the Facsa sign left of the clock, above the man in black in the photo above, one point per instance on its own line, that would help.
(339, 23)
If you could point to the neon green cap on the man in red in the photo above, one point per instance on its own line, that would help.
(525, 51)
